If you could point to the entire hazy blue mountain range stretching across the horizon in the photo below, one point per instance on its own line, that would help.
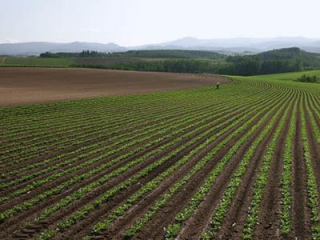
(226, 46)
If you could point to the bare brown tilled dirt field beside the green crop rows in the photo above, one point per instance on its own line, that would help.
(37, 85)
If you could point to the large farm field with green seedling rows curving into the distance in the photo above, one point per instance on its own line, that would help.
(241, 162)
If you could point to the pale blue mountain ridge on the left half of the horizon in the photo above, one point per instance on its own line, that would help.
(36, 48)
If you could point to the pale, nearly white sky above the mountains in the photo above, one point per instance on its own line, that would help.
(139, 22)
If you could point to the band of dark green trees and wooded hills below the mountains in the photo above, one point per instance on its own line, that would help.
(276, 61)
